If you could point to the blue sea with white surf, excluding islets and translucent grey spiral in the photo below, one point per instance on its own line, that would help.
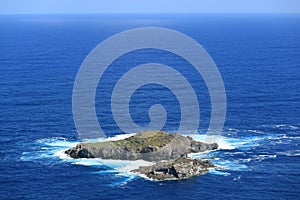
(258, 57)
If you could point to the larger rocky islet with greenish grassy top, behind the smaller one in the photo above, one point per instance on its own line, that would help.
(149, 146)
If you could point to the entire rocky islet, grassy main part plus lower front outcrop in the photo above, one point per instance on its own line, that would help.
(168, 151)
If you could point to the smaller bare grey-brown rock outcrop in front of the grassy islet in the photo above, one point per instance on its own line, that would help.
(181, 168)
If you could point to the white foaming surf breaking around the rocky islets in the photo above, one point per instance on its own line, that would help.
(223, 157)
